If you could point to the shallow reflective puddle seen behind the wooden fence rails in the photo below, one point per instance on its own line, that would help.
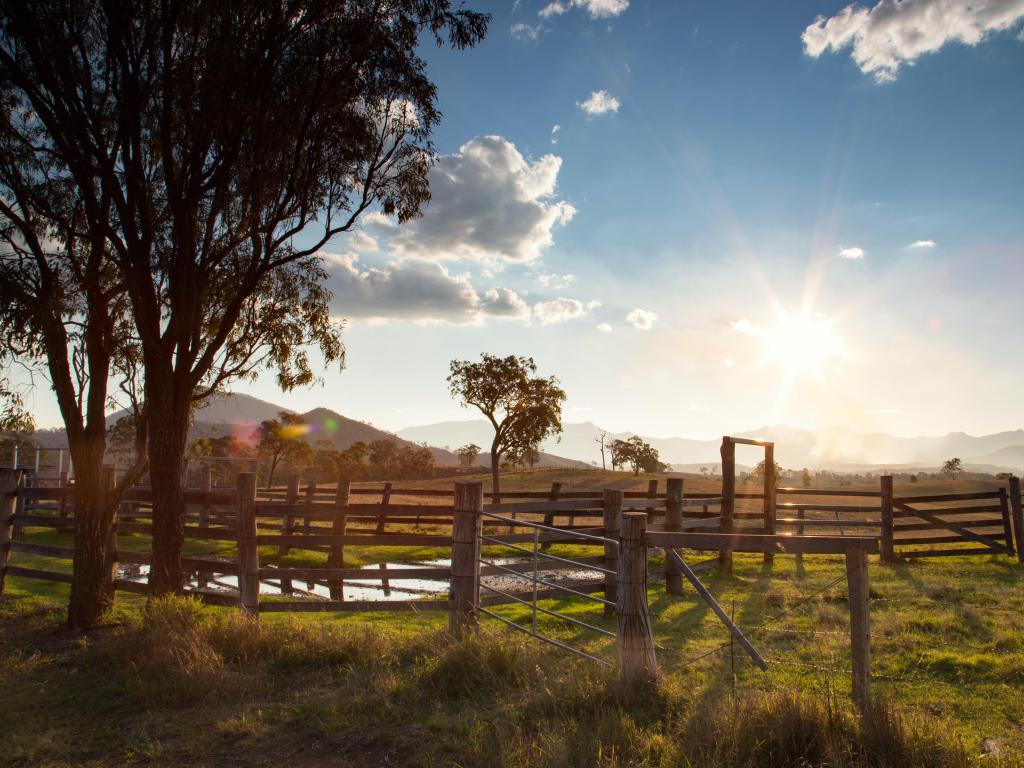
(371, 588)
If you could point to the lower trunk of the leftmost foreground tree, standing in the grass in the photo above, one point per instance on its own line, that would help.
(92, 586)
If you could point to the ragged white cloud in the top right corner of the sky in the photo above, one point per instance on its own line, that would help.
(898, 32)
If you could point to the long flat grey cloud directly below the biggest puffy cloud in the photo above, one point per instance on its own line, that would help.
(413, 289)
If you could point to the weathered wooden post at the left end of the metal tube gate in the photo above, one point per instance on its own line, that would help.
(464, 589)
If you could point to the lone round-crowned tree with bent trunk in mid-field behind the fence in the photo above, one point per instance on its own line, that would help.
(524, 409)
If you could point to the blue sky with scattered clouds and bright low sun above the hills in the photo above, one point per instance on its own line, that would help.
(793, 212)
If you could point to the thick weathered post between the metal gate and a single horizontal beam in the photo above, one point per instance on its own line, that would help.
(636, 643)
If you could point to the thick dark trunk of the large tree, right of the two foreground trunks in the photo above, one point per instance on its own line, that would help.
(168, 436)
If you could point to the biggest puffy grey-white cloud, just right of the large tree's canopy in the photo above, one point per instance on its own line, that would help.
(488, 203)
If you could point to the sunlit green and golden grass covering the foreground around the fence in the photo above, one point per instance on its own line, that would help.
(181, 685)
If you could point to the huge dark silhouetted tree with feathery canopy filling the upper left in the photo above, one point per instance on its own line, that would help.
(194, 159)
